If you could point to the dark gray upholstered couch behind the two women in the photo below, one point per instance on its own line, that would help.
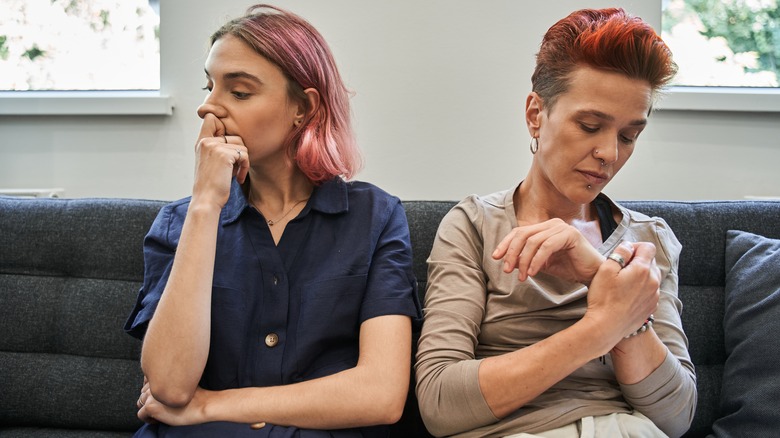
(70, 270)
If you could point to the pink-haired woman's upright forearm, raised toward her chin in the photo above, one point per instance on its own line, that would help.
(176, 344)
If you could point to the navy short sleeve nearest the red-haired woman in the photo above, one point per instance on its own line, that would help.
(391, 287)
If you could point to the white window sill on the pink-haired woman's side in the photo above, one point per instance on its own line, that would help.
(84, 103)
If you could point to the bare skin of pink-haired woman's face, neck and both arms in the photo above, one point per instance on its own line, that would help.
(246, 117)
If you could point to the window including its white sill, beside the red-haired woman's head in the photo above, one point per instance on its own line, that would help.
(727, 51)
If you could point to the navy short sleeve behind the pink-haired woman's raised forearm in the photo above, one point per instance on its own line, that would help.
(158, 259)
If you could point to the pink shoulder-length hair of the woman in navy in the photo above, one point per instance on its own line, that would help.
(323, 146)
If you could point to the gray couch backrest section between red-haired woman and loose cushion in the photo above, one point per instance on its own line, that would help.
(701, 228)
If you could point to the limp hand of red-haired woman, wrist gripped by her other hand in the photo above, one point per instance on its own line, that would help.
(553, 247)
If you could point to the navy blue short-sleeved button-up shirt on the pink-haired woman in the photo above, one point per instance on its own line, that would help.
(288, 312)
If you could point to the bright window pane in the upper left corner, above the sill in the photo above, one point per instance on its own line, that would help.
(79, 45)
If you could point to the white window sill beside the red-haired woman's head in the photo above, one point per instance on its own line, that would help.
(739, 99)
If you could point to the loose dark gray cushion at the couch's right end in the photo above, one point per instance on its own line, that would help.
(751, 375)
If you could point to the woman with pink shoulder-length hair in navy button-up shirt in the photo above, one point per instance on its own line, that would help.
(278, 295)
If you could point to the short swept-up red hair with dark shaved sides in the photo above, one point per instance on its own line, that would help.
(604, 39)
